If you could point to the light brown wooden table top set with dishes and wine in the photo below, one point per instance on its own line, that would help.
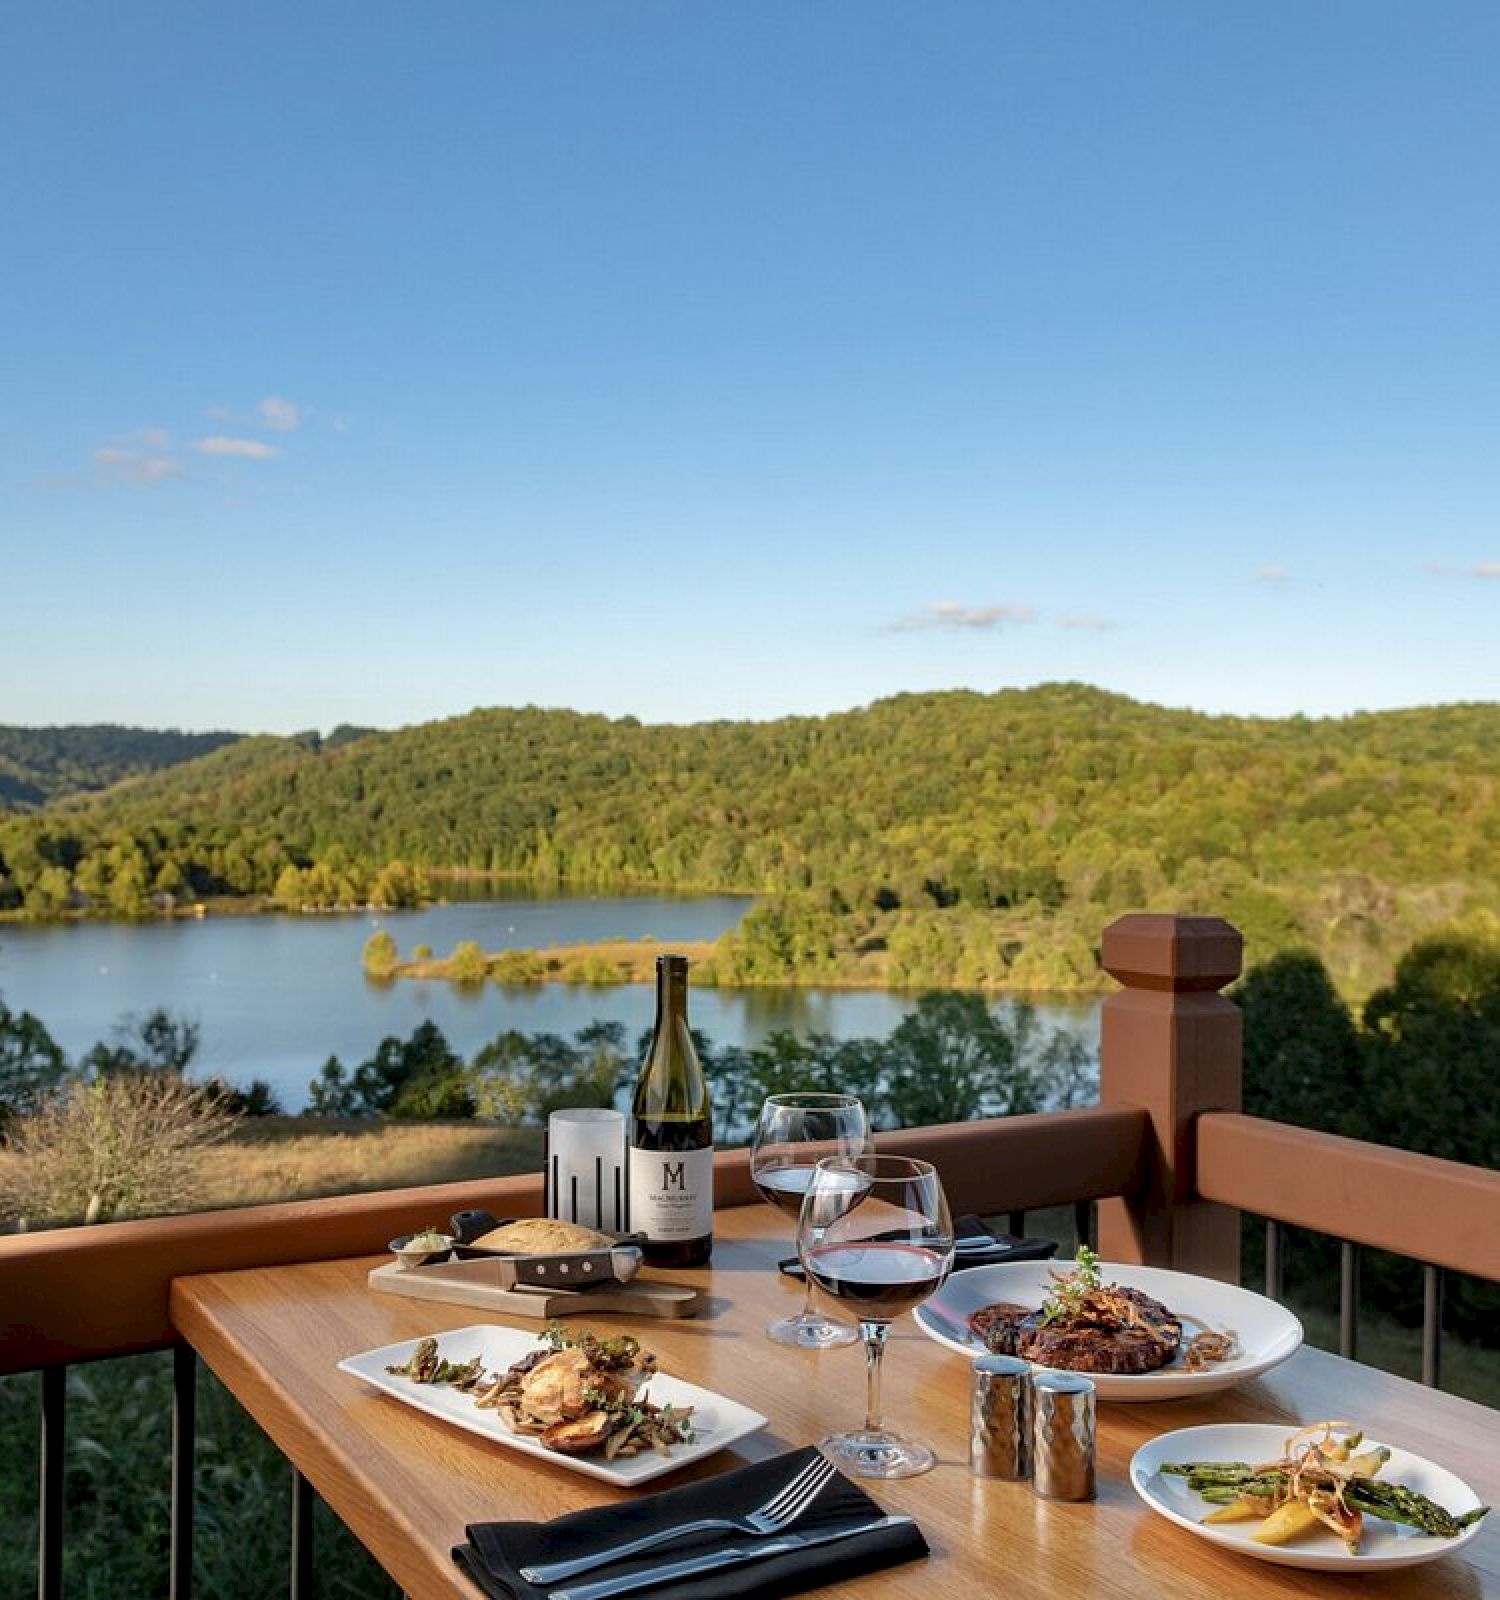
(409, 1484)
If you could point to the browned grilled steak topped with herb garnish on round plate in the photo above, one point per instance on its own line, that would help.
(1135, 1335)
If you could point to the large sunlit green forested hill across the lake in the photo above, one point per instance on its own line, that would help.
(984, 838)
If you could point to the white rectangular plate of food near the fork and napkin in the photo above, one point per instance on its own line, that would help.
(717, 1420)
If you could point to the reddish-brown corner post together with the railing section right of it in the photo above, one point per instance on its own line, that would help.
(1171, 1044)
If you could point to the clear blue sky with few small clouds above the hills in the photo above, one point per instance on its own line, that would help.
(370, 362)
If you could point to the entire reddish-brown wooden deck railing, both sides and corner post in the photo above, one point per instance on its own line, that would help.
(1168, 1158)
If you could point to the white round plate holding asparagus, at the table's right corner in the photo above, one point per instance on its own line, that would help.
(1382, 1545)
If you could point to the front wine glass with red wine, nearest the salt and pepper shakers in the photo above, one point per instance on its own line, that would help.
(876, 1231)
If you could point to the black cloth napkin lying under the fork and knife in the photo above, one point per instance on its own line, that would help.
(497, 1551)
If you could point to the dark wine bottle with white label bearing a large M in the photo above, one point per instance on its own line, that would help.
(671, 1161)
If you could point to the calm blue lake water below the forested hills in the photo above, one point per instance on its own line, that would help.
(274, 996)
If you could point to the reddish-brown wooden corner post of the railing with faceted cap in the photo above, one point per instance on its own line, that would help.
(1171, 1044)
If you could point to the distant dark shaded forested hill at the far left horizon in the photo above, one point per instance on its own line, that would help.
(46, 764)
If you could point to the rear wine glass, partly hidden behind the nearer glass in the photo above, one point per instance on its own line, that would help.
(792, 1135)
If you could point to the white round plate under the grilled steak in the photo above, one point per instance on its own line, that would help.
(1267, 1334)
